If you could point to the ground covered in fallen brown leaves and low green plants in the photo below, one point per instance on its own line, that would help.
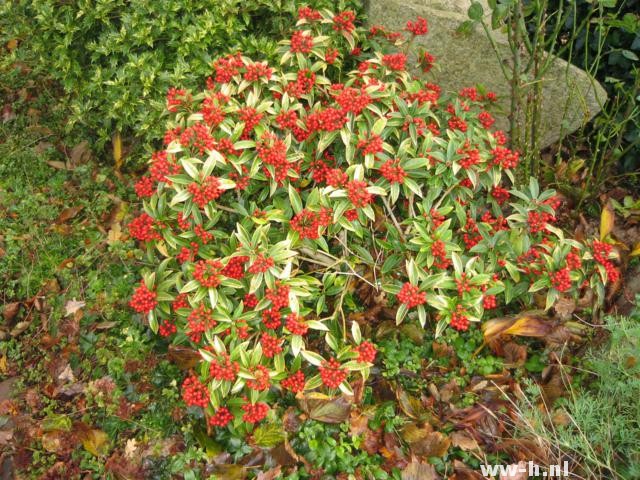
(87, 391)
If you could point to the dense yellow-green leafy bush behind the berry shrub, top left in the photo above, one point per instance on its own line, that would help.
(116, 59)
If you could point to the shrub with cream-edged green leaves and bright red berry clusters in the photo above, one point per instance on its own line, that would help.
(286, 190)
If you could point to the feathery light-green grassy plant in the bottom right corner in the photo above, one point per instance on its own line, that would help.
(597, 424)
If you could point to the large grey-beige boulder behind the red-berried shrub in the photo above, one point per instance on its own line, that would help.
(571, 97)
